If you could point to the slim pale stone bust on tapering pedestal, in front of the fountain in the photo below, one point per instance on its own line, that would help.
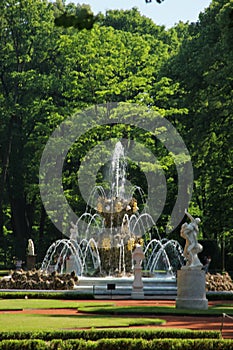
(137, 290)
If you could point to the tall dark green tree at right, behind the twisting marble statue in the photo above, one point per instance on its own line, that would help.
(203, 68)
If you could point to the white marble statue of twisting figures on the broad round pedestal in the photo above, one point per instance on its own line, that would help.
(190, 233)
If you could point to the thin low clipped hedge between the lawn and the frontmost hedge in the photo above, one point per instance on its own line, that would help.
(112, 334)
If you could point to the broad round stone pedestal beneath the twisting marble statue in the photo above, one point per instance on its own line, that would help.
(191, 289)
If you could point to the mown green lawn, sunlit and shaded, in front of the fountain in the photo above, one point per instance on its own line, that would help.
(97, 314)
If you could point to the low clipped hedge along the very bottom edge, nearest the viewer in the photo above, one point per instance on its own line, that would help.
(113, 344)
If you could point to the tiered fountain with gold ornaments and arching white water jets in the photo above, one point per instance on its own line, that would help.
(102, 241)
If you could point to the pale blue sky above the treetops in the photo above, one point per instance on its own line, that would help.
(168, 13)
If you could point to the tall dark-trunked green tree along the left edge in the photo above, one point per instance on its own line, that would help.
(28, 44)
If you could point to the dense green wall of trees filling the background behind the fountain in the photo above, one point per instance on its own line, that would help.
(56, 59)
